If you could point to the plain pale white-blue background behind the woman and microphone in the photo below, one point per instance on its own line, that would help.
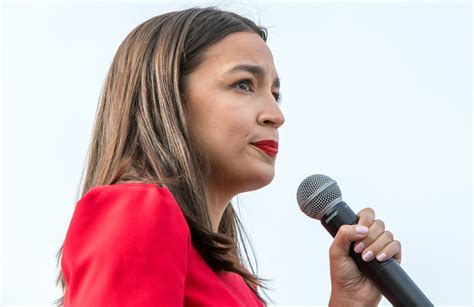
(376, 95)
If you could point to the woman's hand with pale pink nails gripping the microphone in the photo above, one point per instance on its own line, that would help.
(349, 286)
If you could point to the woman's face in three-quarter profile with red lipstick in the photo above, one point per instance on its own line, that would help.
(231, 104)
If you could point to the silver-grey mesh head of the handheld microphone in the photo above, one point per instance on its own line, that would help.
(317, 193)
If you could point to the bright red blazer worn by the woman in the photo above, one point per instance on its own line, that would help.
(129, 245)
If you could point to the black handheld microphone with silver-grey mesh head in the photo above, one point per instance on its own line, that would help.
(319, 197)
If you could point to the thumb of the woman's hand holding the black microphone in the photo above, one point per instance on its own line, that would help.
(344, 237)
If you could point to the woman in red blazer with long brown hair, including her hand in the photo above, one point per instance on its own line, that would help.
(188, 118)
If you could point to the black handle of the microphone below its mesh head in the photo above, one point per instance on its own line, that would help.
(388, 276)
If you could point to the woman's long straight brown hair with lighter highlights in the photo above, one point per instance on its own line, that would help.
(140, 131)
